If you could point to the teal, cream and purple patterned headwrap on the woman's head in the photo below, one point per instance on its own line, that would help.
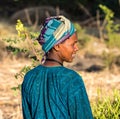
(54, 31)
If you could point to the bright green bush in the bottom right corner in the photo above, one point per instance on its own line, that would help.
(107, 108)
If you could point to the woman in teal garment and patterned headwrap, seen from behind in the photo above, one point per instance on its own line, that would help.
(51, 90)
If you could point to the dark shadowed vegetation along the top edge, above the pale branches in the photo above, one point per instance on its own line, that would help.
(77, 9)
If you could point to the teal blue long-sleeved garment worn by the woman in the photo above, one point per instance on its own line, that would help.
(54, 93)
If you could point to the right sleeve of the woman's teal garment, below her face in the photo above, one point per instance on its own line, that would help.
(78, 102)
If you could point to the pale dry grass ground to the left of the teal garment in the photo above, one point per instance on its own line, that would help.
(9, 100)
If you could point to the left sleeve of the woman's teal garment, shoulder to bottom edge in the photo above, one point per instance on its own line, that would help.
(30, 95)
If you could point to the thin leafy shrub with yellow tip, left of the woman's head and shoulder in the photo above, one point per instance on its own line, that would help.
(26, 37)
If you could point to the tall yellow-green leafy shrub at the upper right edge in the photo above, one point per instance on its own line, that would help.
(111, 28)
